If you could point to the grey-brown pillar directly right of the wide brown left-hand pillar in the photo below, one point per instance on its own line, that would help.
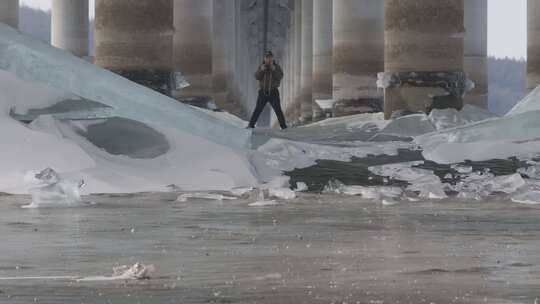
(193, 54)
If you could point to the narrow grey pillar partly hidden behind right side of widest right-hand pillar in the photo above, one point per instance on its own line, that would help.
(475, 51)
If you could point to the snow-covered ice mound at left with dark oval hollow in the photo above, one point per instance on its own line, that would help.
(199, 150)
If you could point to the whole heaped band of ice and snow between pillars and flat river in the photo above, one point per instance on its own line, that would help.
(93, 125)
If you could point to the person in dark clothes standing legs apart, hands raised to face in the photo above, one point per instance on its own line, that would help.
(269, 75)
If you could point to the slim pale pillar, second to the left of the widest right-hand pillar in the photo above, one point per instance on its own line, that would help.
(322, 53)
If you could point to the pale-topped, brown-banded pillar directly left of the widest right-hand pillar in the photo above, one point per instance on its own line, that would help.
(358, 53)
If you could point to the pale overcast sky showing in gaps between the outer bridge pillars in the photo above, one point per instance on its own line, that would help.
(507, 25)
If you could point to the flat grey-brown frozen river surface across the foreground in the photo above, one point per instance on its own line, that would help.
(315, 249)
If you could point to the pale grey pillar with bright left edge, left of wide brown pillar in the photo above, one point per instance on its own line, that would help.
(69, 26)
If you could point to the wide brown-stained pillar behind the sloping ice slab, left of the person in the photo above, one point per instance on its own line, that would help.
(134, 39)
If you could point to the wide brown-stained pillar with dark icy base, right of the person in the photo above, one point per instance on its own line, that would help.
(423, 55)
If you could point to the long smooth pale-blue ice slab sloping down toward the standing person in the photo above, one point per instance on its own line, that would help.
(35, 61)
